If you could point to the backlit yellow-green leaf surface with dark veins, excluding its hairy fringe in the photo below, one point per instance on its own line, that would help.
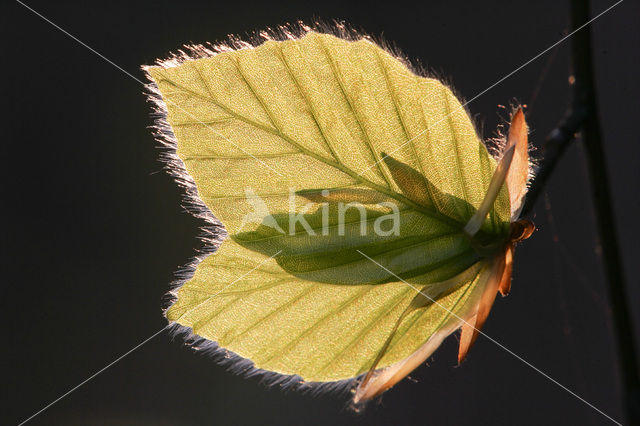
(330, 121)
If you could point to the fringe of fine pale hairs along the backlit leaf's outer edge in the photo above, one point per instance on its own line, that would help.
(212, 233)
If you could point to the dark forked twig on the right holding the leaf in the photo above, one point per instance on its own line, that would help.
(582, 117)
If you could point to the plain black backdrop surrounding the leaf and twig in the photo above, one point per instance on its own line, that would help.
(92, 228)
